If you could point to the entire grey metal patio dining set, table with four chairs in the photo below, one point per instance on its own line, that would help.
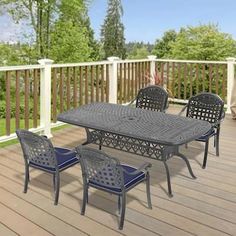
(144, 129)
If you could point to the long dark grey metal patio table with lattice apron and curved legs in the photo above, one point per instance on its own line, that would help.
(147, 133)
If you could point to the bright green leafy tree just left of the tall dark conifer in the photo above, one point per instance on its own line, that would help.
(70, 39)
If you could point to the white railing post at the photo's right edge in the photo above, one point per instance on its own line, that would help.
(230, 81)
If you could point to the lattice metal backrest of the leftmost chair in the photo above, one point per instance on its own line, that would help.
(37, 149)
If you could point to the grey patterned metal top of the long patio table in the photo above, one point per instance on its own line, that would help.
(158, 127)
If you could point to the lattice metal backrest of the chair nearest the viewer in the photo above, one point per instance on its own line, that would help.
(99, 168)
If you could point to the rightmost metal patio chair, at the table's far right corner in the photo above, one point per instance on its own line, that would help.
(208, 107)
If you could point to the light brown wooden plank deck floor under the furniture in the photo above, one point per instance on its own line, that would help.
(205, 206)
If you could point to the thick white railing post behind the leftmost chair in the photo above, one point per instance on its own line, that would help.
(45, 96)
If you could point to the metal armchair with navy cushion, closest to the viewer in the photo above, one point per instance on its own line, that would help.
(106, 173)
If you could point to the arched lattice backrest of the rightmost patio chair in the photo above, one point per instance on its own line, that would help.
(205, 106)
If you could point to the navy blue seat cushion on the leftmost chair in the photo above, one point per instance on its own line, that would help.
(64, 160)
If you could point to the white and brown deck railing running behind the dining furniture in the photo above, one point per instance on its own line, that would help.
(32, 96)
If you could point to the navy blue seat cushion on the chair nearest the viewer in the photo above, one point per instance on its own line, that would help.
(129, 180)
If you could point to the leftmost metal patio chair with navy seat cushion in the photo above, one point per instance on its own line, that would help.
(39, 153)
